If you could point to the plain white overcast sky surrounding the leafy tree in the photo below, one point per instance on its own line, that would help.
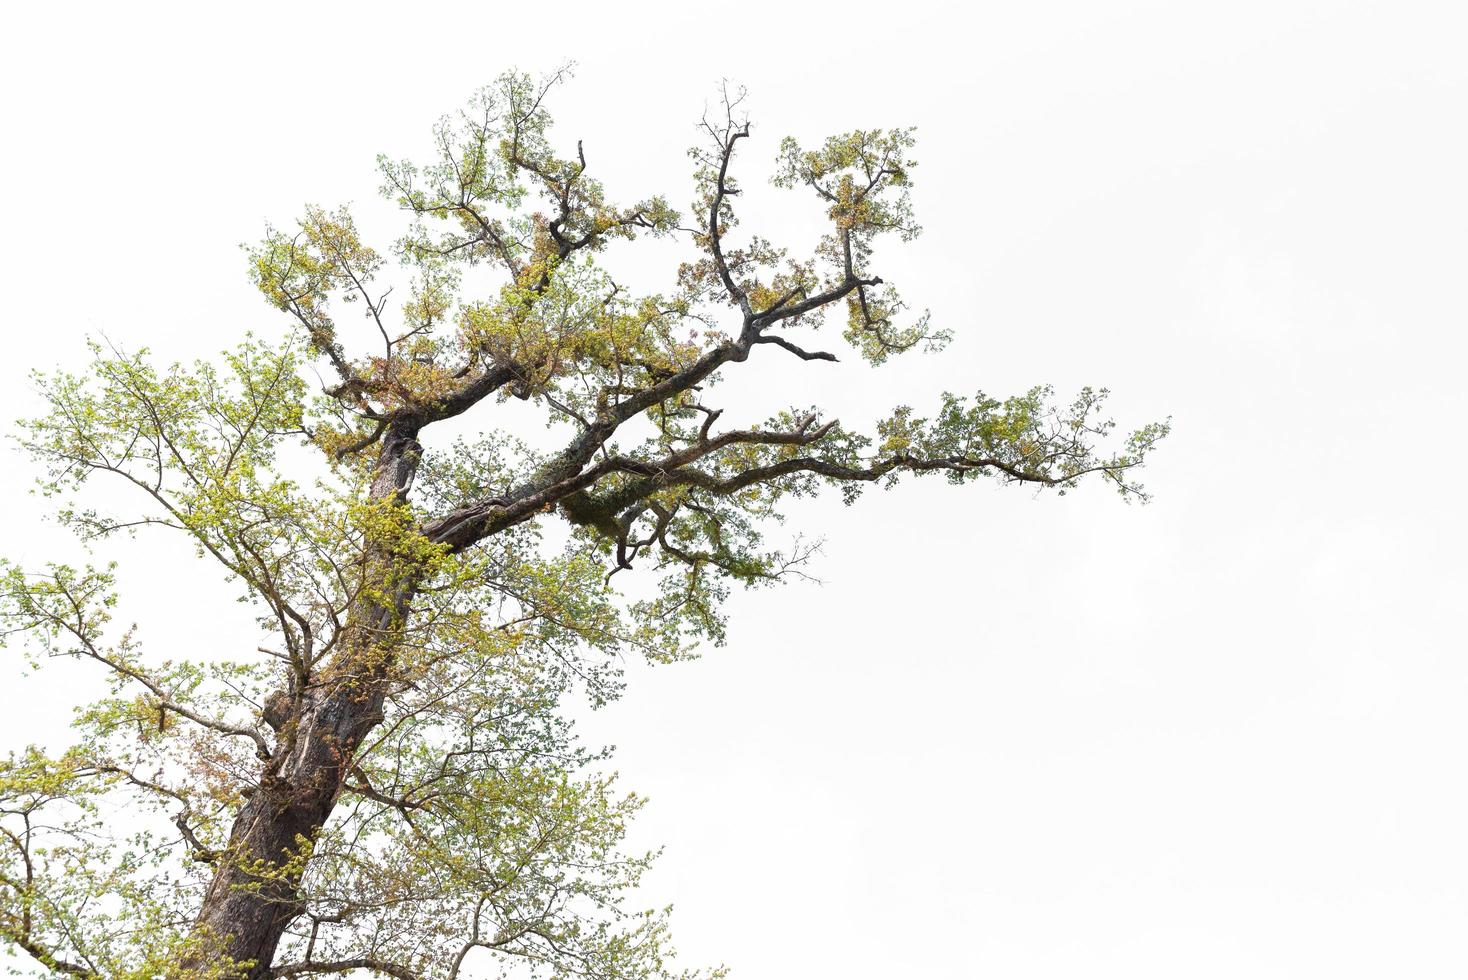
(1012, 737)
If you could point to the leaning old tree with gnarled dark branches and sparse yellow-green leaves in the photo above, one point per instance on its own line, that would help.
(390, 783)
